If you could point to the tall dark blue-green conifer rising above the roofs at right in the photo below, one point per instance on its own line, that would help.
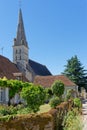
(74, 70)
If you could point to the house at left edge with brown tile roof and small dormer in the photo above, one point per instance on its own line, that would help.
(10, 71)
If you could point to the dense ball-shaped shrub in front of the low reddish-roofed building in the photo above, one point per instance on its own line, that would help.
(58, 88)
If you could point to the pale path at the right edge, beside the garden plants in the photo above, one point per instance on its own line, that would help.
(84, 118)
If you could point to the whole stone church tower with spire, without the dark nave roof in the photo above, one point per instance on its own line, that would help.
(20, 49)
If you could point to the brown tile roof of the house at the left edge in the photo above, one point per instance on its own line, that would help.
(7, 68)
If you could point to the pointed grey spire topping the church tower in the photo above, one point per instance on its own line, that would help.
(21, 38)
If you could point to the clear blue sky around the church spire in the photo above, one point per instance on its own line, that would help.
(55, 30)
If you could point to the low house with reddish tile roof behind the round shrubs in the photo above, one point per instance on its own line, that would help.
(47, 81)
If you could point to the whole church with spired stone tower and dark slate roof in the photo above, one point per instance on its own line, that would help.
(21, 58)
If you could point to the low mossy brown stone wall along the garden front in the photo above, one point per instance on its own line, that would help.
(46, 121)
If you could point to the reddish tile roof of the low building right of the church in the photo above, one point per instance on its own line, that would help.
(47, 81)
